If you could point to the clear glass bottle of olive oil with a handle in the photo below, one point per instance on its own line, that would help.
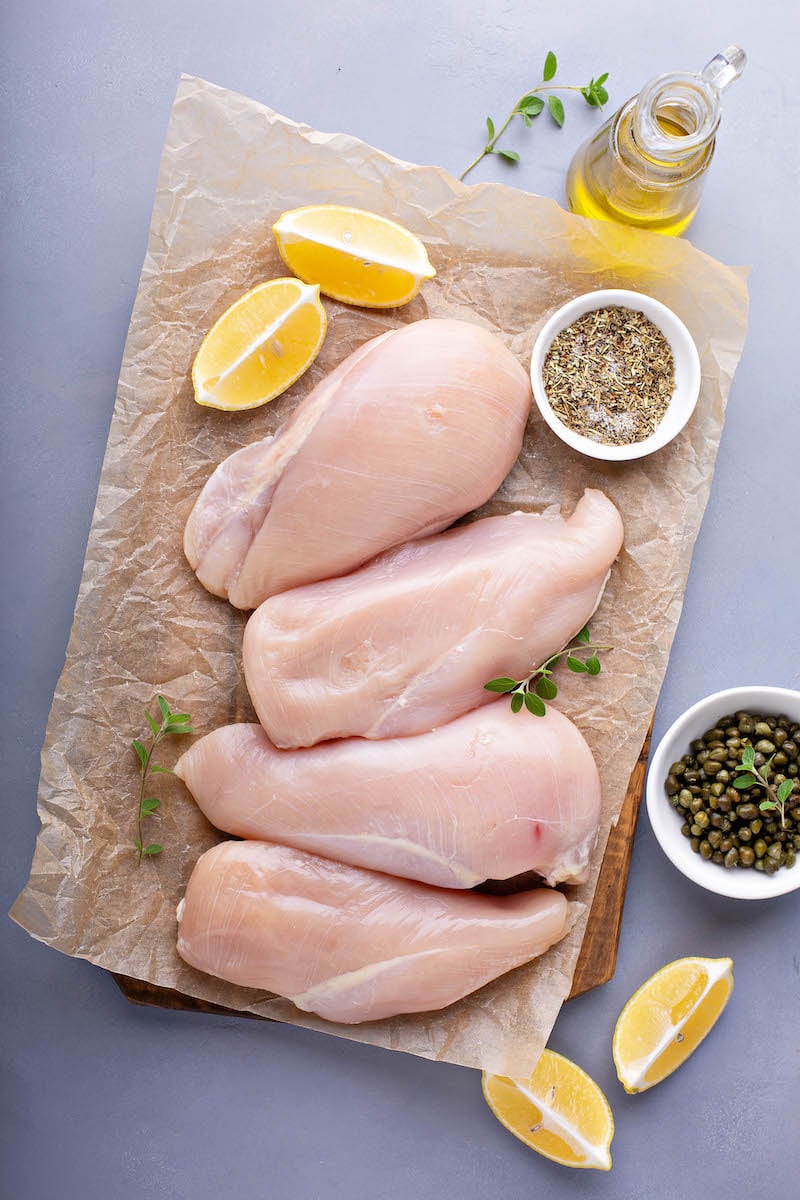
(647, 165)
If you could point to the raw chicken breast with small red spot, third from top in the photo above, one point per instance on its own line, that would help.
(489, 796)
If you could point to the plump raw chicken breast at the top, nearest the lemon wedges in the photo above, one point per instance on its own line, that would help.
(411, 433)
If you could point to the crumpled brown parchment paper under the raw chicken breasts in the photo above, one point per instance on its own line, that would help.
(145, 625)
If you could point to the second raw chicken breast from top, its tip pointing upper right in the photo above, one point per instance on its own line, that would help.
(407, 644)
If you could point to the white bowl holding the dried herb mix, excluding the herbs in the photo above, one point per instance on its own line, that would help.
(688, 373)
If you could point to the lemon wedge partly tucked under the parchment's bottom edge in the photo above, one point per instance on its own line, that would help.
(560, 1112)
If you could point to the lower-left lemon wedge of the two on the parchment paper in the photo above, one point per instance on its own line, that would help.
(261, 346)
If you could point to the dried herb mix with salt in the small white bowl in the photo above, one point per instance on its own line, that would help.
(610, 376)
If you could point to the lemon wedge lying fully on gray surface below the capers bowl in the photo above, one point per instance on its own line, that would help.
(669, 1018)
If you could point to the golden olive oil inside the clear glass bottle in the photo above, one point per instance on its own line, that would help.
(611, 181)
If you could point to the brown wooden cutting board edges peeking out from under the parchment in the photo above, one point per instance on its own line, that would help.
(598, 958)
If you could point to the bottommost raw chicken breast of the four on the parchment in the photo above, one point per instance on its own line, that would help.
(352, 945)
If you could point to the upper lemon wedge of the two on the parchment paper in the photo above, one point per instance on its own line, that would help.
(354, 256)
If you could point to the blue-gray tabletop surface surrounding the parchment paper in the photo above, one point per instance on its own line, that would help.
(143, 1103)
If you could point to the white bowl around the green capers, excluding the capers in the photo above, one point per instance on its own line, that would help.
(743, 884)
